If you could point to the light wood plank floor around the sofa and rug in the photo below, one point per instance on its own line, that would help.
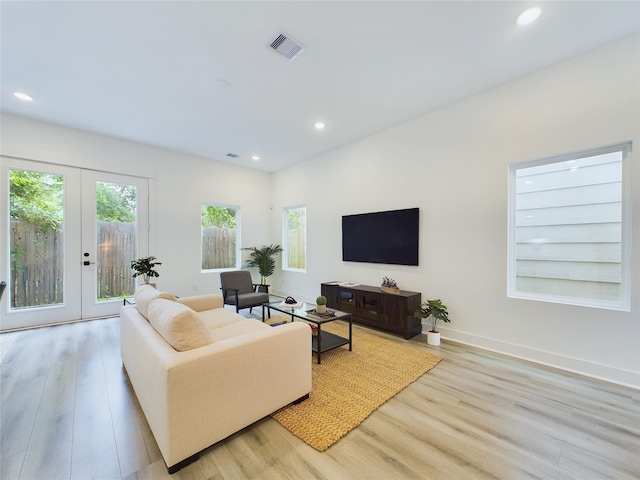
(68, 412)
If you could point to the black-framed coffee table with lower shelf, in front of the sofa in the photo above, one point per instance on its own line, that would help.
(323, 341)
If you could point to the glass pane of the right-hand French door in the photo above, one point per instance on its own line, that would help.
(116, 216)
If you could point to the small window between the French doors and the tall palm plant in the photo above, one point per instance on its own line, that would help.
(220, 232)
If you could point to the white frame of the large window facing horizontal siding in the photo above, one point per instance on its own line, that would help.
(623, 303)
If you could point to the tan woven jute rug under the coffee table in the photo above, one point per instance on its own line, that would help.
(349, 386)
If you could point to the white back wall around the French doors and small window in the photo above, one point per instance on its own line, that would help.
(180, 183)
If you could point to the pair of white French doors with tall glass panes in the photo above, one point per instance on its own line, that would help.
(68, 236)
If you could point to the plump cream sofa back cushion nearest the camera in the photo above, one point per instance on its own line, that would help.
(180, 326)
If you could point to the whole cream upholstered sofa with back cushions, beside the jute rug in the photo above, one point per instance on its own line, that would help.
(202, 372)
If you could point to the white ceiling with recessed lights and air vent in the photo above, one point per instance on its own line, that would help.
(198, 76)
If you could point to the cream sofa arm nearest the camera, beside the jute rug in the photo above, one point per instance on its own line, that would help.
(215, 390)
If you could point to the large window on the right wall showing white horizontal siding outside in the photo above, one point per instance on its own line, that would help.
(569, 229)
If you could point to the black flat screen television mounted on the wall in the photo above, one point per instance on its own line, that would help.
(381, 237)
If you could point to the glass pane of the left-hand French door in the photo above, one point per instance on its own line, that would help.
(36, 216)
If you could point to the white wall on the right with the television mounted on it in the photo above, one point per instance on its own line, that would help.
(452, 164)
